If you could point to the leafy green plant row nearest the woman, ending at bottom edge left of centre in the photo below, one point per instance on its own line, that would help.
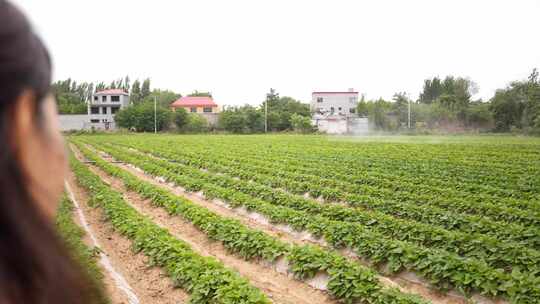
(205, 278)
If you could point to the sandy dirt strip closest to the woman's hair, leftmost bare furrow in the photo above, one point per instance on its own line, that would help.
(150, 284)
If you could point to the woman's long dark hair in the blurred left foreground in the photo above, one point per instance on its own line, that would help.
(34, 266)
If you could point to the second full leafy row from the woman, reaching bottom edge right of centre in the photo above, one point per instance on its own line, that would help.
(349, 282)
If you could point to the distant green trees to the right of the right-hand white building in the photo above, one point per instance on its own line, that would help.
(446, 104)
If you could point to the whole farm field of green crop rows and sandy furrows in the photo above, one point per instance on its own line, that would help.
(315, 219)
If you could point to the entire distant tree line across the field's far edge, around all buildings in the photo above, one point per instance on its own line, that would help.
(443, 104)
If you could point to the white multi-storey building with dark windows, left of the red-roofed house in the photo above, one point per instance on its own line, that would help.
(104, 105)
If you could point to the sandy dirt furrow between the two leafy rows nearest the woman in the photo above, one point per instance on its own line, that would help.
(281, 288)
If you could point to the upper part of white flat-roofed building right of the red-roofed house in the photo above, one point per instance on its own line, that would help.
(334, 103)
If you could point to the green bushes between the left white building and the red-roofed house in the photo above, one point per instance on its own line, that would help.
(140, 117)
